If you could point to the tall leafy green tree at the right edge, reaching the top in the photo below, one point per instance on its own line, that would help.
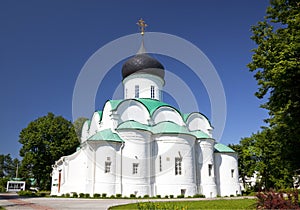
(276, 63)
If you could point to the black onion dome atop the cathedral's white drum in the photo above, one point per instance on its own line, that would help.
(143, 63)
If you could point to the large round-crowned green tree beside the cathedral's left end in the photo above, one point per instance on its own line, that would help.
(45, 140)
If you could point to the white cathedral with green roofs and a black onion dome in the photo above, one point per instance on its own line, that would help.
(143, 146)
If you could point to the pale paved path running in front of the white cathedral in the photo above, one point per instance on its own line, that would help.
(14, 202)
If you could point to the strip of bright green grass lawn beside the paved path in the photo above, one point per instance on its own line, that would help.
(204, 204)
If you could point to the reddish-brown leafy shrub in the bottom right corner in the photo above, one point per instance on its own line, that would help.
(277, 200)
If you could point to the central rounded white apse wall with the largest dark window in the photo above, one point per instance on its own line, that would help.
(167, 182)
